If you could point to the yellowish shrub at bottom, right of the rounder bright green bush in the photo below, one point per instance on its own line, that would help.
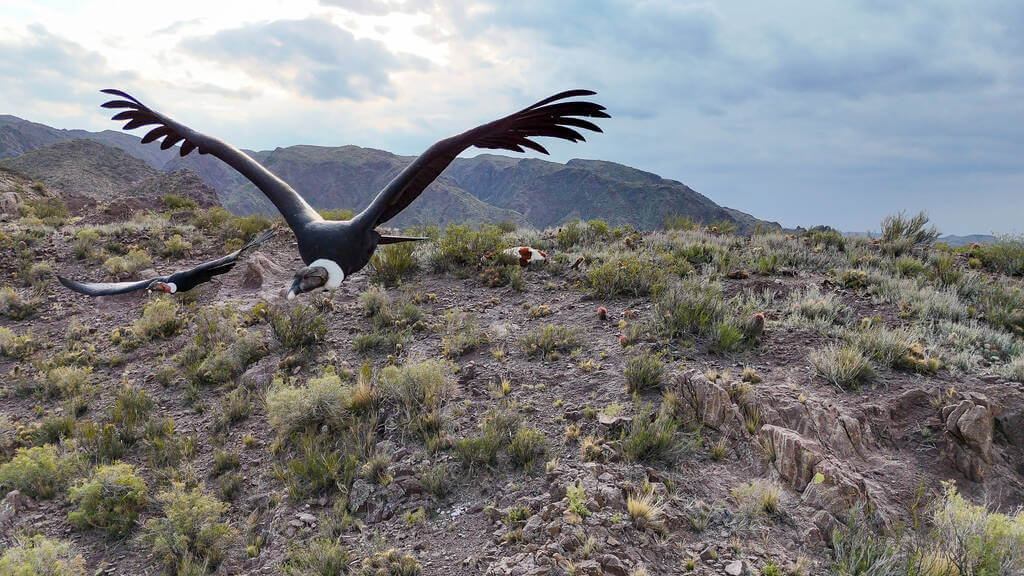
(190, 534)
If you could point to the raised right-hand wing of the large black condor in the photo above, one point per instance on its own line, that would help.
(546, 118)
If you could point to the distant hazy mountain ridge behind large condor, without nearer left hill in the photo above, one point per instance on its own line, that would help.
(488, 188)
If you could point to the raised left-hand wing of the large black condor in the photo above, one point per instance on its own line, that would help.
(296, 212)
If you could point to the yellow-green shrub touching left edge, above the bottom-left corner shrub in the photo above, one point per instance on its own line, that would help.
(40, 472)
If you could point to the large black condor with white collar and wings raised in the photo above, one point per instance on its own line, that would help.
(334, 251)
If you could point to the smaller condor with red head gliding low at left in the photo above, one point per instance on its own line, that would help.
(179, 282)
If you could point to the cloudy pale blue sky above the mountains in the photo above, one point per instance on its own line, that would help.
(806, 113)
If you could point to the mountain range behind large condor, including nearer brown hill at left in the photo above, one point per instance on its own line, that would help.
(487, 189)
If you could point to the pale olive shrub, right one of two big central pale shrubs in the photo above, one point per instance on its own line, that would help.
(419, 393)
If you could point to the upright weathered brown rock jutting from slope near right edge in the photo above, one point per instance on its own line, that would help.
(969, 426)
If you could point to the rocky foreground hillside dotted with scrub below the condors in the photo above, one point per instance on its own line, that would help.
(658, 403)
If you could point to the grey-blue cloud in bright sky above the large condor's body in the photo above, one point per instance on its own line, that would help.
(313, 58)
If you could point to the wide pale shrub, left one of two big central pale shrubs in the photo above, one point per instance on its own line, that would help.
(323, 401)
